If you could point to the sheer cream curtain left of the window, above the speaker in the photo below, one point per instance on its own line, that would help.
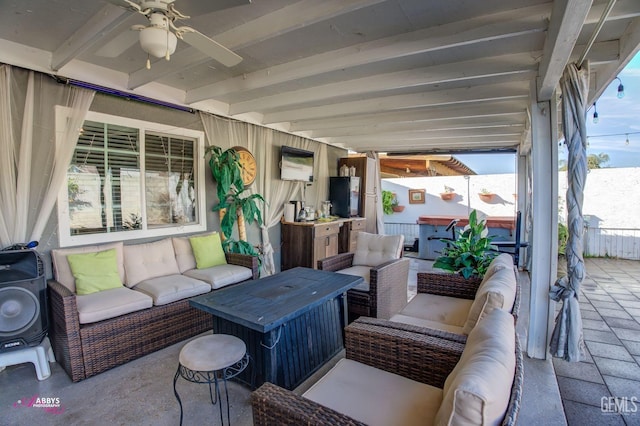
(34, 160)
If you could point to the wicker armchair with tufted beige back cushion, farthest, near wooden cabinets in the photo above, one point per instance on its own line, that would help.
(377, 259)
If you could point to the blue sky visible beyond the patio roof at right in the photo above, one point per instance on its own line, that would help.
(619, 119)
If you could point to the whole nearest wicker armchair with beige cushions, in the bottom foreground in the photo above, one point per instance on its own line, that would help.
(397, 377)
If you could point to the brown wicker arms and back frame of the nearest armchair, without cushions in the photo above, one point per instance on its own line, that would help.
(416, 356)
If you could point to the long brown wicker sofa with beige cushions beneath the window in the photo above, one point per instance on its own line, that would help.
(93, 333)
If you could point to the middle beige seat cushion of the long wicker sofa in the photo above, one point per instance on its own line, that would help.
(170, 288)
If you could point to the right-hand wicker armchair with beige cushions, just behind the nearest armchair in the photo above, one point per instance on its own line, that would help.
(448, 305)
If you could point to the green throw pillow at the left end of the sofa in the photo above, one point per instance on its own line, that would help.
(95, 272)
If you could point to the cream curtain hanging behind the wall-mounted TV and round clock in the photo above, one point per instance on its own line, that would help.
(264, 144)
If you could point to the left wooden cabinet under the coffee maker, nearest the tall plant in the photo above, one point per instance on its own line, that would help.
(304, 243)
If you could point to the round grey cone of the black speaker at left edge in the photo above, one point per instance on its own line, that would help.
(19, 310)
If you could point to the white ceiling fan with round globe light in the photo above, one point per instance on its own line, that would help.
(159, 38)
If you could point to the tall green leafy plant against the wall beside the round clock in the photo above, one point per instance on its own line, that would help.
(233, 206)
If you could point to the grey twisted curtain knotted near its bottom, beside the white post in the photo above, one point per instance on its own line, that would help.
(567, 339)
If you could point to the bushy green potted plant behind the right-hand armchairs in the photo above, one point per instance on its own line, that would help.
(471, 252)
